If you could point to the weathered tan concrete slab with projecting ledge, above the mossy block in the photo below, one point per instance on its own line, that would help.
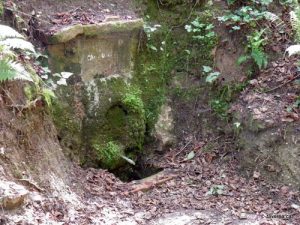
(97, 49)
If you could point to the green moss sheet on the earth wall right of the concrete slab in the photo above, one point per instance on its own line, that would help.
(155, 69)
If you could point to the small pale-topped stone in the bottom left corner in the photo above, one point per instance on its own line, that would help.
(12, 195)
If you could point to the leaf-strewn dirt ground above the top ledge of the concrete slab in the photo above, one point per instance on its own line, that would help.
(49, 17)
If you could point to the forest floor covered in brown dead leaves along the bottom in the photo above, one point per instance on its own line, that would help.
(203, 190)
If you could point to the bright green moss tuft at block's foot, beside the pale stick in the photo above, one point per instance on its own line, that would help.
(109, 155)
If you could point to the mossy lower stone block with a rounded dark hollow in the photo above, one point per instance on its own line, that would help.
(115, 112)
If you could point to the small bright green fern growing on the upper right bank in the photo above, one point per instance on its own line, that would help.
(255, 50)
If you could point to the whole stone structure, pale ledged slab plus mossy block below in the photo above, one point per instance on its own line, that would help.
(100, 113)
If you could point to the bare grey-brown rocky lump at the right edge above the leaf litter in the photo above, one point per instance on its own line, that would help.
(275, 156)
